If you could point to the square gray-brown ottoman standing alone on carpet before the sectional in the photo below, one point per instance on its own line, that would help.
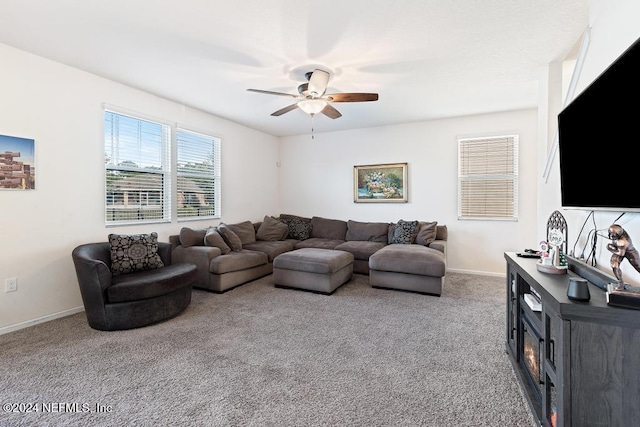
(311, 269)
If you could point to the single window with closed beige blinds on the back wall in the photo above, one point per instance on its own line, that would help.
(488, 178)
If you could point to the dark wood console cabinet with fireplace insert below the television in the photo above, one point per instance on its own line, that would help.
(577, 362)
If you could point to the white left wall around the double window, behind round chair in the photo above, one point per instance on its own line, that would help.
(61, 108)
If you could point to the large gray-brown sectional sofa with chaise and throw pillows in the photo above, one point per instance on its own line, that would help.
(407, 255)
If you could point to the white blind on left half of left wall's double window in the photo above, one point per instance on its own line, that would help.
(137, 169)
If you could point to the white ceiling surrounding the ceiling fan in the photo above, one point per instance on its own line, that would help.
(426, 59)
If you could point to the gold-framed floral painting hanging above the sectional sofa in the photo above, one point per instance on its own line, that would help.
(381, 183)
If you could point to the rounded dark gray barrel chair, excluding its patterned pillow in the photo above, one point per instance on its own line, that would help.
(131, 300)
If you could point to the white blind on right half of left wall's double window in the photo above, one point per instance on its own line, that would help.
(198, 175)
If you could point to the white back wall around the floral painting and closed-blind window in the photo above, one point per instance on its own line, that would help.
(317, 179)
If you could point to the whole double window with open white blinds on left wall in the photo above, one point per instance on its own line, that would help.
(140, 171)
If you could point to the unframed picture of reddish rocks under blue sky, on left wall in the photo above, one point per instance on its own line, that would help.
(17, 163)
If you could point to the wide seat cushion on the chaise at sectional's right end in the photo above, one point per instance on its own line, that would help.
(409, 259)
